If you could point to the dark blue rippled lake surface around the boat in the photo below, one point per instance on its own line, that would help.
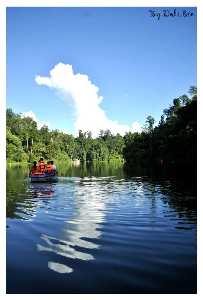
(98, 231)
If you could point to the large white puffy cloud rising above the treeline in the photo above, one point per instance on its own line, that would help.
(89, 115)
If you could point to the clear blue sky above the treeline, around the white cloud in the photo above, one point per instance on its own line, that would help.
(138, 63)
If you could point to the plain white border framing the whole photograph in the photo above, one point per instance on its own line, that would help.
(93, 3)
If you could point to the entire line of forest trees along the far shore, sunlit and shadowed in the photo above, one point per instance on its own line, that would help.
(171, 145)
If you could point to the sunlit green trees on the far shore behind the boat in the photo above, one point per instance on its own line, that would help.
(27, 143)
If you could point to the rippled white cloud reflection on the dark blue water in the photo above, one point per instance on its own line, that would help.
(89, 213)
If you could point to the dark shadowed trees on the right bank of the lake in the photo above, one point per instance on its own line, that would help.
(172, 145)
